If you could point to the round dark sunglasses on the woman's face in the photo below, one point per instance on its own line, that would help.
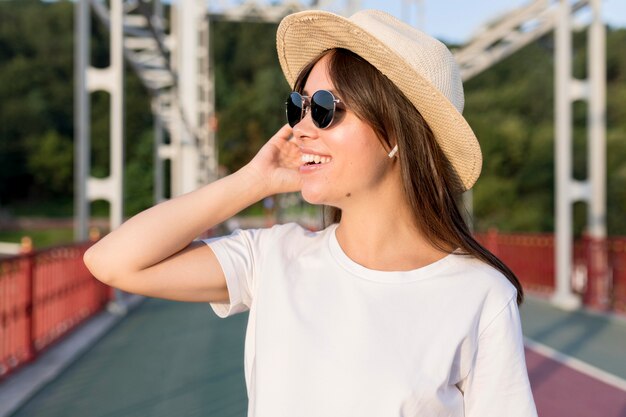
(322, 103)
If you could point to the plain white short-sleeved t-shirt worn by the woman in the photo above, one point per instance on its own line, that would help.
(328, 337)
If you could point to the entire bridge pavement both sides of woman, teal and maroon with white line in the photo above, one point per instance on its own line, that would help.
(154, 362)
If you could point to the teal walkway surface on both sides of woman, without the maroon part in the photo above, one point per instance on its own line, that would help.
(178, 359)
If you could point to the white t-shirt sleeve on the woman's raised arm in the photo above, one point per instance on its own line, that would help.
(238, 255)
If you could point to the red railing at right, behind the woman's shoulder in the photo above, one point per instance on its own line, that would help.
(598, 273)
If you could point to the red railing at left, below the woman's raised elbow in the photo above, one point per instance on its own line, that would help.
(43, 295)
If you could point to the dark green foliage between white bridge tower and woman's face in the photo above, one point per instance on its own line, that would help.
(250, 89)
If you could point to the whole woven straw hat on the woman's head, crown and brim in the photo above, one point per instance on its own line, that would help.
(419, 65)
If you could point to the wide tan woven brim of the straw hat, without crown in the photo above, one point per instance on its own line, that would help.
(303, 36)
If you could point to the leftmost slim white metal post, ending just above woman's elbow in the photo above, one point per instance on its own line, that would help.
(81, 118)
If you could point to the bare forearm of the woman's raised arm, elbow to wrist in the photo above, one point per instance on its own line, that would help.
(161, 231)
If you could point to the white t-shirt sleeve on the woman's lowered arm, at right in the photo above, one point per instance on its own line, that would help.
(497, 384)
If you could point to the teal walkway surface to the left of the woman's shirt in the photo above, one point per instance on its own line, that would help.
(165, 359)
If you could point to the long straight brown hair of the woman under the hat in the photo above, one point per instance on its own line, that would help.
(428, 178)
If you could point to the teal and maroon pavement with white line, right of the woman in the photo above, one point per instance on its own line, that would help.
(576, 361)
